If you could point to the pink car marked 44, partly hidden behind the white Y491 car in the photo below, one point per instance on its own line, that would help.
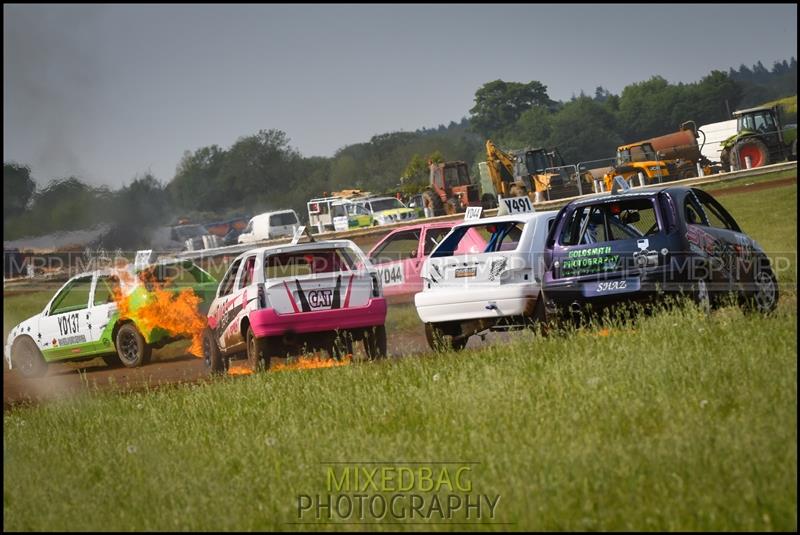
(398, 257)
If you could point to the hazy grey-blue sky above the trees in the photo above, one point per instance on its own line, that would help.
(108, 92)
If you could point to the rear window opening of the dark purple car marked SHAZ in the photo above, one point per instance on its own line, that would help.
(610, 221)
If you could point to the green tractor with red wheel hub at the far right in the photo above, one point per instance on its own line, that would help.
(759, 137)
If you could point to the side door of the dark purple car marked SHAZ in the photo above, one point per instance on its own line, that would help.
(734, 248)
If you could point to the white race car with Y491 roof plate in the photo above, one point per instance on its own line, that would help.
(498, 289)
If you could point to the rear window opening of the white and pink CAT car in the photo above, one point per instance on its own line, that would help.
(301, 263)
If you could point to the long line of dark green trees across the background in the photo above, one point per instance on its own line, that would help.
(263, 171)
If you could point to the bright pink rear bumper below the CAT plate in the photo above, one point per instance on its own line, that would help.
(268, 322)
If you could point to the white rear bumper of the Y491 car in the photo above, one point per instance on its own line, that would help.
(456, 304)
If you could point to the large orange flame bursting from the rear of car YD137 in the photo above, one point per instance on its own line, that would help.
(176, 313)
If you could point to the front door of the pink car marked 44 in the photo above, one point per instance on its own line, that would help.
(398, 260)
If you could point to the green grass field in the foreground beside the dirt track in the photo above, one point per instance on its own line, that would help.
(680, 421)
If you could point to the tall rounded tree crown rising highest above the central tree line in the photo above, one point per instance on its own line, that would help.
(499, 104)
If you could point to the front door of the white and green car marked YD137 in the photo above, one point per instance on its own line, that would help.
(64, 326)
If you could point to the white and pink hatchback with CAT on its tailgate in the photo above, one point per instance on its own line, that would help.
(283, 299)
